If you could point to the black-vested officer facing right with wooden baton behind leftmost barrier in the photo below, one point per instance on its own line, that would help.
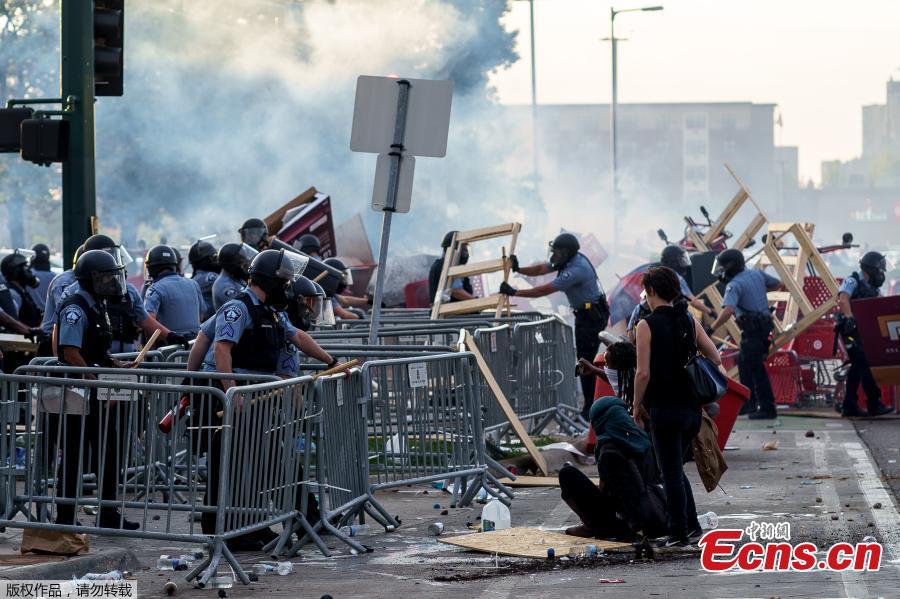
(84, 339)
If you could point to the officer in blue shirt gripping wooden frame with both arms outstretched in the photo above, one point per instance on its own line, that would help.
(576, 278)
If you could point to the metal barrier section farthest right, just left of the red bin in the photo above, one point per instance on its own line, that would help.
(545, 374)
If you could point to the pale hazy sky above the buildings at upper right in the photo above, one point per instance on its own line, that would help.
(819, 60)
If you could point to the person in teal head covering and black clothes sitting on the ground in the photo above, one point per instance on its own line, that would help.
(628, 504)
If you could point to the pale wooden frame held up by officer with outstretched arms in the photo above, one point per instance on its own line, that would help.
(453, 270)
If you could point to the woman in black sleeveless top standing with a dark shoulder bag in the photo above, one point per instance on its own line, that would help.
(662, 387)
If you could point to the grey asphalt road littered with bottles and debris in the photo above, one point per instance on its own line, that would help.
(825, 486)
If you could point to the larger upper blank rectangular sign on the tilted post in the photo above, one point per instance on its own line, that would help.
(427, 118)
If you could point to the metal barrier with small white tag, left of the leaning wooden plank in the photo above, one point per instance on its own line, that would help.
(424, 425)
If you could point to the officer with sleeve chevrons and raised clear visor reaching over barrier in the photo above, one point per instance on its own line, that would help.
(251, 332)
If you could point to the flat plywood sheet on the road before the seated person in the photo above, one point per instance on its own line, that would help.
(530, 542)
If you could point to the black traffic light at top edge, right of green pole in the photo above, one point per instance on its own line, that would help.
(109, 34)
